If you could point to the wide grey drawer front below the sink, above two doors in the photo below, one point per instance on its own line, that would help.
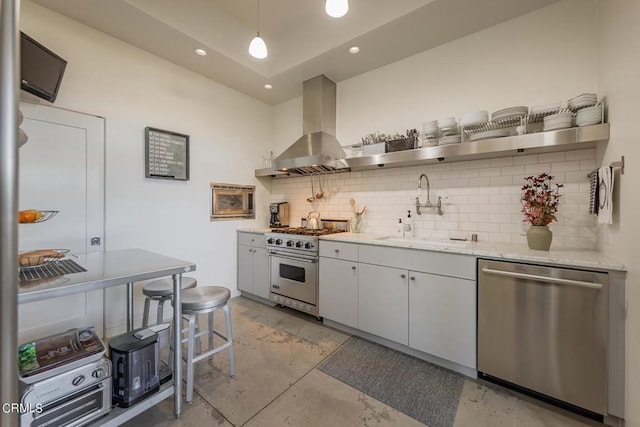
(445, 264)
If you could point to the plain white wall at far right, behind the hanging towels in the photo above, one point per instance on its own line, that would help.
(619, 70)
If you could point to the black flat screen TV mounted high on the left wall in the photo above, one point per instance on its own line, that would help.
(41, 70)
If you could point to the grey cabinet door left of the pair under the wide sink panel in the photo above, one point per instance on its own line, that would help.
(383, 302)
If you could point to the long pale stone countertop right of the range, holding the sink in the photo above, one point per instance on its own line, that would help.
(509, 252)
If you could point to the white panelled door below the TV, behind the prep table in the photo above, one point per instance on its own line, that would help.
(62, 168)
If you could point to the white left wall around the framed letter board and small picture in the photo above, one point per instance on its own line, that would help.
(133, 89)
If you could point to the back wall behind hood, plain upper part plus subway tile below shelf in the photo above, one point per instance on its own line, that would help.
(545, 56)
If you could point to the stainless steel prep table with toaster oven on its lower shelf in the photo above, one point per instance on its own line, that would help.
(116, 268)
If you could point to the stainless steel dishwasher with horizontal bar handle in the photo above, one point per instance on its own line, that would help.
(544, 329)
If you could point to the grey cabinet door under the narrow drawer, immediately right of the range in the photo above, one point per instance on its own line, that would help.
(339, 291)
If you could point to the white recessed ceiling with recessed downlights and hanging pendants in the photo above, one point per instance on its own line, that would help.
(302, 40)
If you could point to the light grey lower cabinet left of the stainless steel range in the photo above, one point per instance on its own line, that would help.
(253, 265)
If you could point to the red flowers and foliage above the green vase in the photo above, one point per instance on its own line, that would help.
(540, 199)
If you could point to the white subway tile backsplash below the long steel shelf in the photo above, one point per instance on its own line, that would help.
(478, 196)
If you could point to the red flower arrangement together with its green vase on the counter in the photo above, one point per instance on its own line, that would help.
(540, 197)
